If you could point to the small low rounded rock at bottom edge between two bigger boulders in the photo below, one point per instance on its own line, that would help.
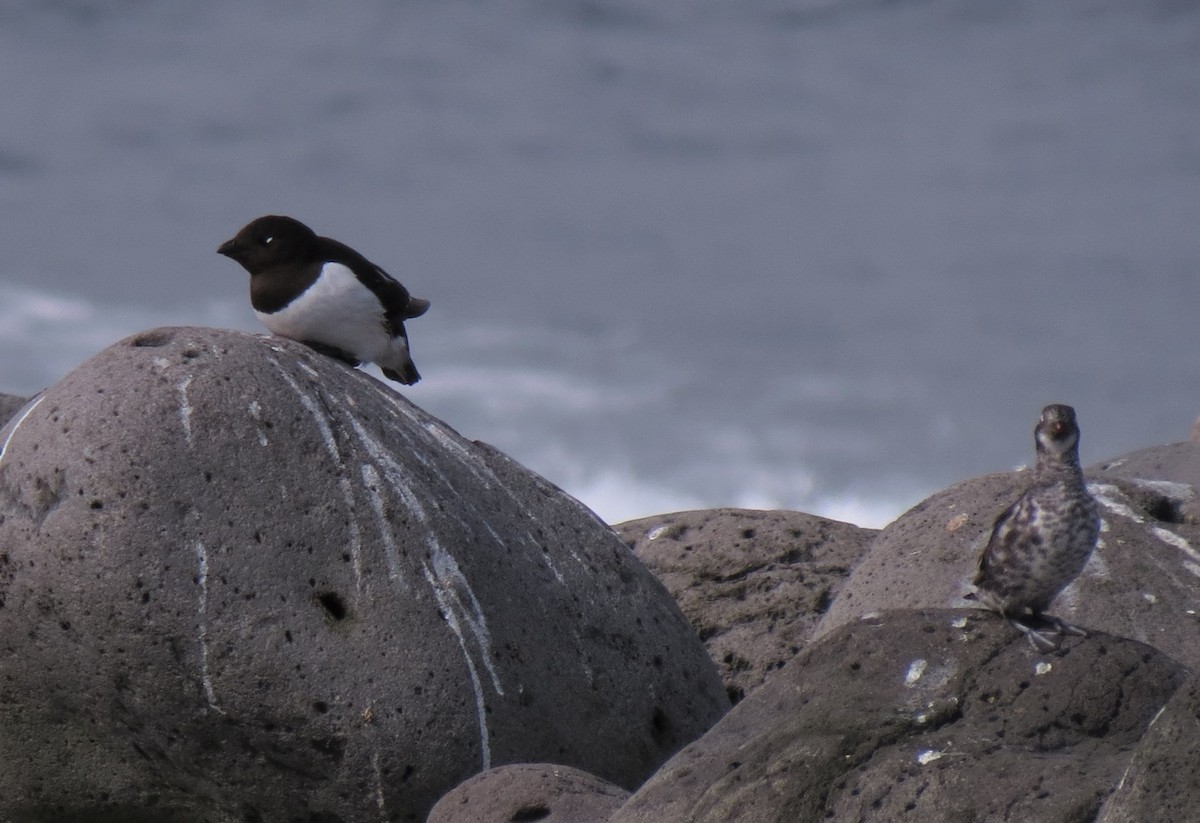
(542, 792)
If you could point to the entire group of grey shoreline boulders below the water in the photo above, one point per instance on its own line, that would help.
(243, 582)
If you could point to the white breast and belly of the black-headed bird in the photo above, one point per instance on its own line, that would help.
(337, 310)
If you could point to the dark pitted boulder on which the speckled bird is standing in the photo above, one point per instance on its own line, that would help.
(922, 716)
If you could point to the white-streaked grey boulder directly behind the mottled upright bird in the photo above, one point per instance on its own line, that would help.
(1143, 580)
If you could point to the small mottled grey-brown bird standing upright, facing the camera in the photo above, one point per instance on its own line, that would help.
(1042, 543)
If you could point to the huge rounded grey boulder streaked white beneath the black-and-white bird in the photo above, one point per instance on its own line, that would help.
(242, 581)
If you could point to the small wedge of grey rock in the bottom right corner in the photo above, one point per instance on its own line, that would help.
(1161, 783)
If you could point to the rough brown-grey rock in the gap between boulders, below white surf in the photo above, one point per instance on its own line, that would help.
(754, 584)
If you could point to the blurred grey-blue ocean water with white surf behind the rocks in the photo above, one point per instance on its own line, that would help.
(823, 255)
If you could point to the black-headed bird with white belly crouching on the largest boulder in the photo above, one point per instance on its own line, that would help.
(325, 295)
